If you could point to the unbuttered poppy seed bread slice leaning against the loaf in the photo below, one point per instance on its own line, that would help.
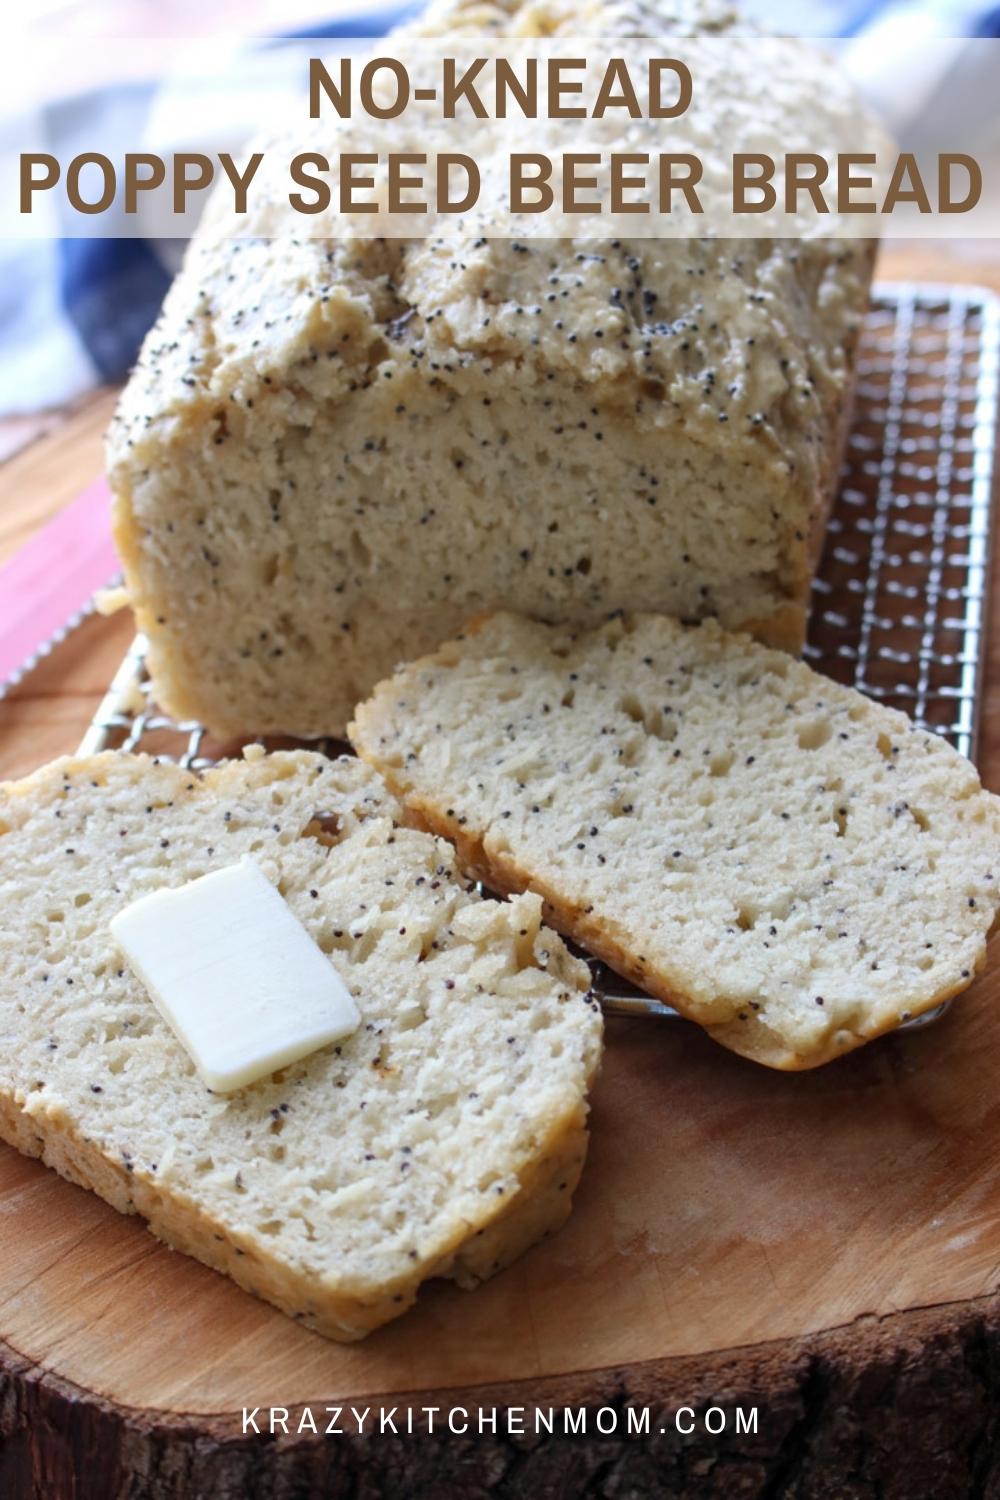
(791, 865)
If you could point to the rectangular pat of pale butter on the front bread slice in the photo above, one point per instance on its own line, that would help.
(236, 976)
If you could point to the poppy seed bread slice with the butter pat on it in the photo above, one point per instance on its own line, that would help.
(440, 1141)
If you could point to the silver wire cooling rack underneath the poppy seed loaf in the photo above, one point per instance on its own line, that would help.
(900, 598)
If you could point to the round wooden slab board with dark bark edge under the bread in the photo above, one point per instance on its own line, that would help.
(824, 1249)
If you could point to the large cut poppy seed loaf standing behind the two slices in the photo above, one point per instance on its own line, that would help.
(334, 454)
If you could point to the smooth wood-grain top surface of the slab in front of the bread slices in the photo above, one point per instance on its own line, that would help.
(722, 1205)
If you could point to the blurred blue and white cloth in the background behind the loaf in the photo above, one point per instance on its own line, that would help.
(74, 311)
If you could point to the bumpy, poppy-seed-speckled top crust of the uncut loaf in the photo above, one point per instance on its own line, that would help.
(753, 337)
